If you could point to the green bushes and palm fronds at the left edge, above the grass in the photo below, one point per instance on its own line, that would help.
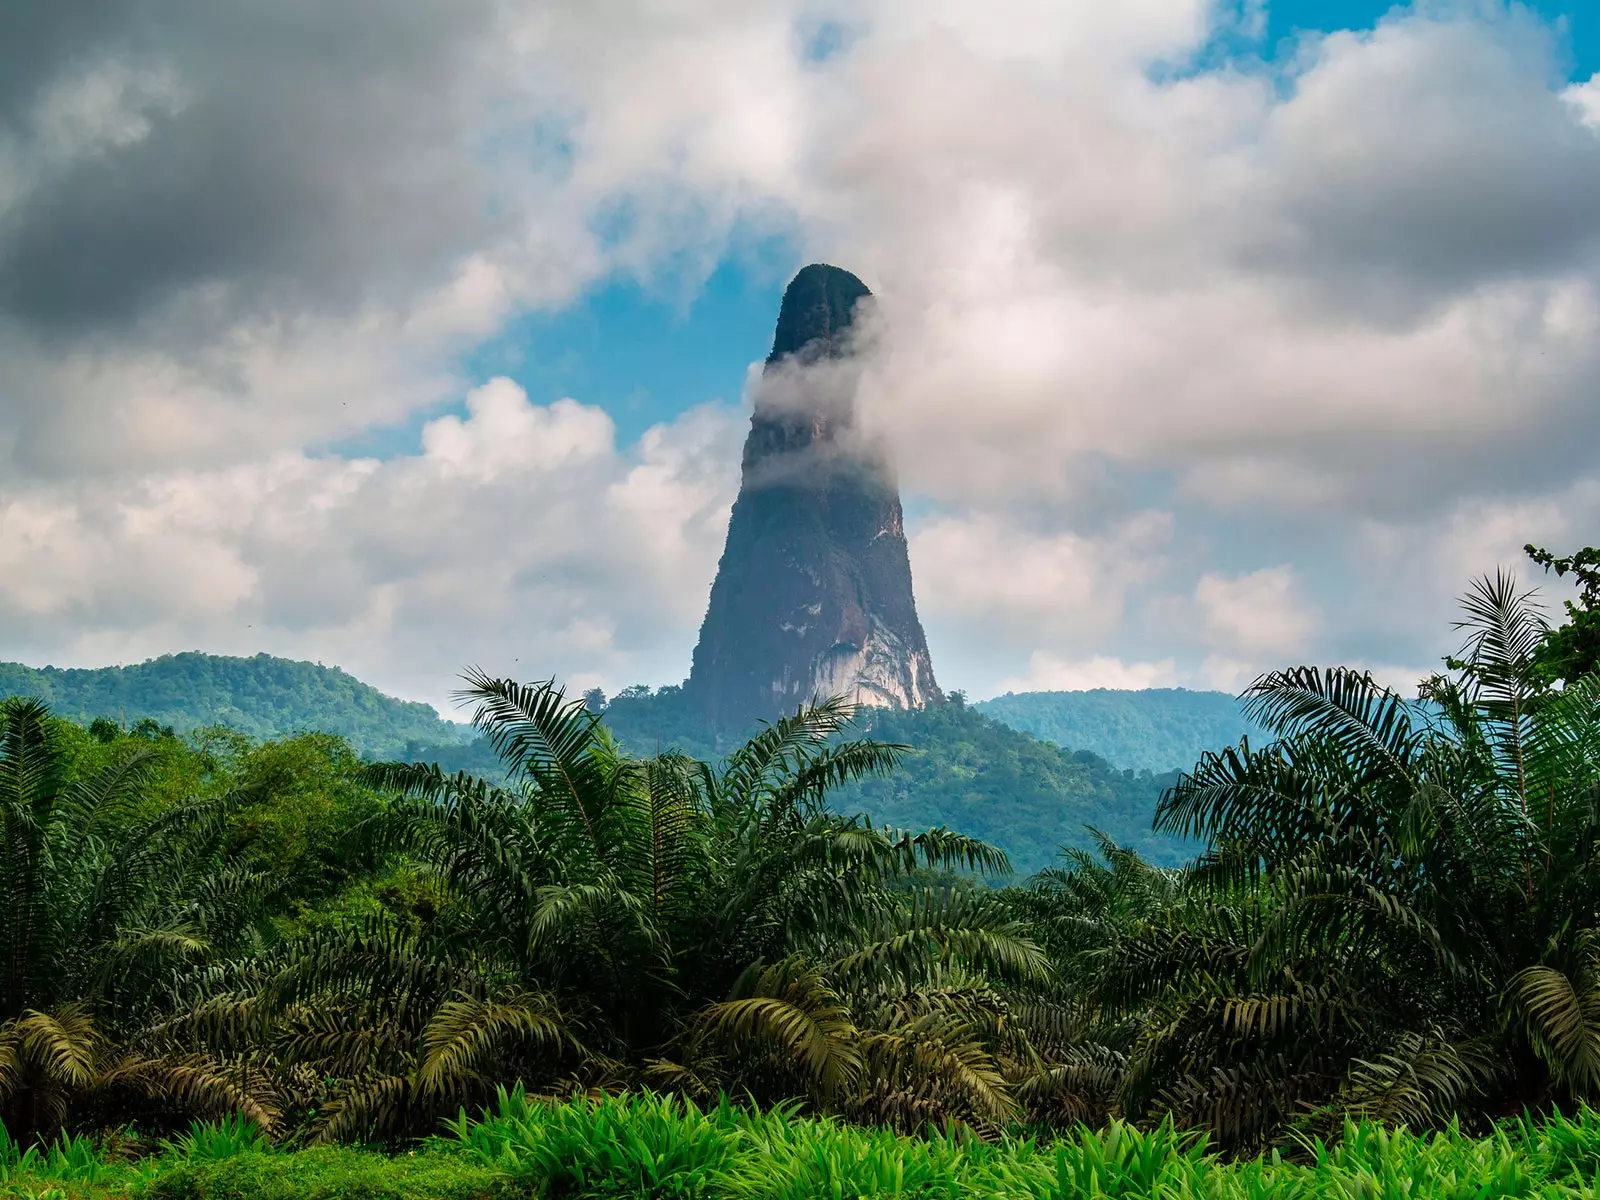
(130, 868)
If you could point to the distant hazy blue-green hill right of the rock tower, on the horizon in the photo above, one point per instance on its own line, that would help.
(1158, 730)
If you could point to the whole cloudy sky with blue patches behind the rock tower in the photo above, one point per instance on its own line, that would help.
(412, 337)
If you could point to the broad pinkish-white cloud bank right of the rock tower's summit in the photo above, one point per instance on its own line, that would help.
(1279, 298)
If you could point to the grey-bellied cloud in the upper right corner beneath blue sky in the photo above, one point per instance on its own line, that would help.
(1426, 159)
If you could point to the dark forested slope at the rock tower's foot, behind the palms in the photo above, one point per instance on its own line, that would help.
(964, 770)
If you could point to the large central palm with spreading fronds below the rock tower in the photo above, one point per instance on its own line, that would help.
(602, 913)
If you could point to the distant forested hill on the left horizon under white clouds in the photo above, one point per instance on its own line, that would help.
(263, 697)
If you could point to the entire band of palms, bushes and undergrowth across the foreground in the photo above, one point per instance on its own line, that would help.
(1394, 921)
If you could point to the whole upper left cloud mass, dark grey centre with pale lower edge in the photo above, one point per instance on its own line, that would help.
(230, 234)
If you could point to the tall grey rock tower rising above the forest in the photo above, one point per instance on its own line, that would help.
(814, 594)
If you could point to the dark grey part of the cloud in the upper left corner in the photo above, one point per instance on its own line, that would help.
(289, 158)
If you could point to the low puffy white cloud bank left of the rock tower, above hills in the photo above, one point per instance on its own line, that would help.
(518, 537)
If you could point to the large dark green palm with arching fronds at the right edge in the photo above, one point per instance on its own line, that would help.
(1399, 910)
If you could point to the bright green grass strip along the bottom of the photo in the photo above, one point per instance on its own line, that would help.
(647, 1146)
